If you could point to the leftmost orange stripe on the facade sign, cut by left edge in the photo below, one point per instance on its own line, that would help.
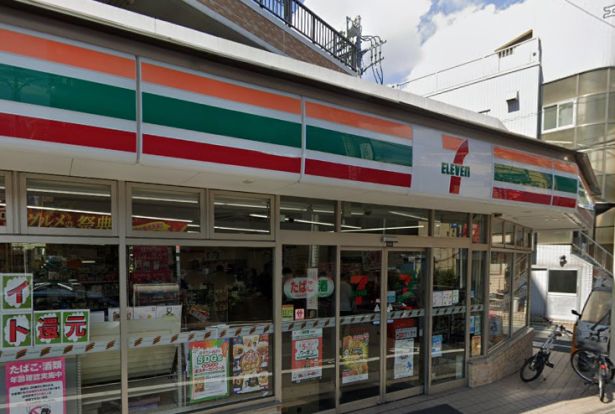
(39, 48)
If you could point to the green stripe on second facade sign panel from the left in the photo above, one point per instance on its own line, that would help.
(176, 113)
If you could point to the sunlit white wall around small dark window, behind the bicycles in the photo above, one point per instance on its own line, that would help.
(558, 306)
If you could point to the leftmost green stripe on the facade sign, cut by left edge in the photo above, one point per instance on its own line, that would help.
(62, 92)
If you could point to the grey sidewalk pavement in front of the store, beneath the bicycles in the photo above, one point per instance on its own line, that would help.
(558, 390)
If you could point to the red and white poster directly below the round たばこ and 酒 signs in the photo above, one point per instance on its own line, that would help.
(307, 354)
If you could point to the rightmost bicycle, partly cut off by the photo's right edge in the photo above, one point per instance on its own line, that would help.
(594, 366)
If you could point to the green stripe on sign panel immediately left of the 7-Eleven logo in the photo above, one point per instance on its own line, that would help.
(349, 145)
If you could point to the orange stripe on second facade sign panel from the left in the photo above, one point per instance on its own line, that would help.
(211, 87)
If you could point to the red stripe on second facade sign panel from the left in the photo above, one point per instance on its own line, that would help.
(199, 151)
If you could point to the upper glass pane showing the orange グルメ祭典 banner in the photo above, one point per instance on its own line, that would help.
(65, 204)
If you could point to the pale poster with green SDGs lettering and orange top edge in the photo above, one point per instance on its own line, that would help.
(208, 369)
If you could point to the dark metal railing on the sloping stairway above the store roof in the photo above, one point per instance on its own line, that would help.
(307, 23)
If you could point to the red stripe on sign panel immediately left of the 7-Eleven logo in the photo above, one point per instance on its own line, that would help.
(354, 173)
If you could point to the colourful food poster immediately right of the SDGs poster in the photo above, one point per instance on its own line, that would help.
(250, 363)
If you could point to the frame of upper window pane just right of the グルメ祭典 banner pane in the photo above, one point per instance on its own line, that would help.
(130, 232)
